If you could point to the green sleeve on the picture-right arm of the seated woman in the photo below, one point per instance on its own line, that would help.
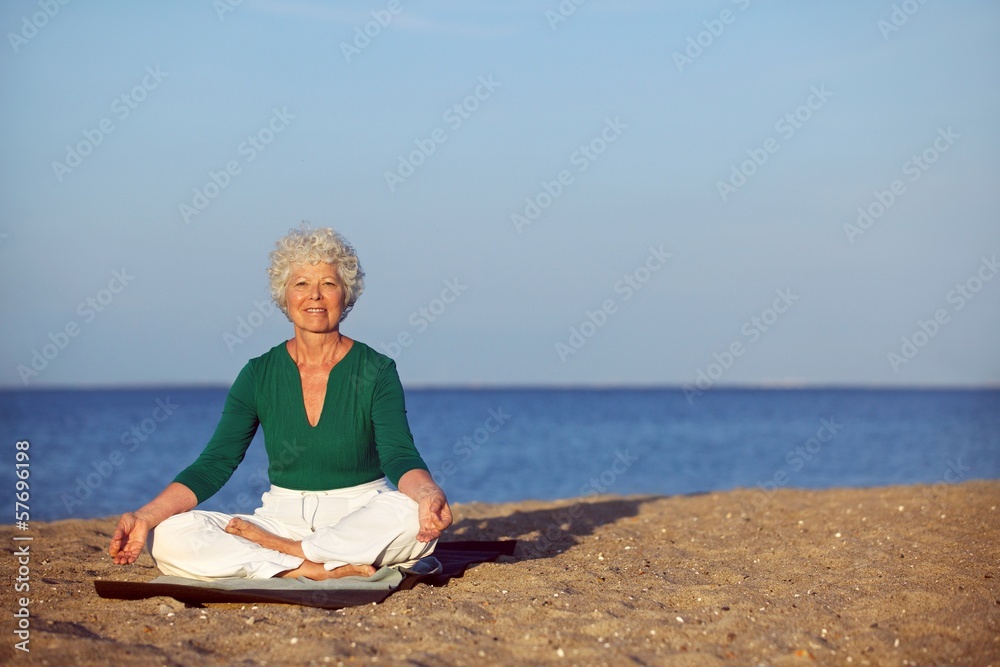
(393, 440)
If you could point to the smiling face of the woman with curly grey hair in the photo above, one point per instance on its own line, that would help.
(314, 297)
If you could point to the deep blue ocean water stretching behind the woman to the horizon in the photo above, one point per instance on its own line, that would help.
(97, 453)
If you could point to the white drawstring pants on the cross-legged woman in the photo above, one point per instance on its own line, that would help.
(369, 524)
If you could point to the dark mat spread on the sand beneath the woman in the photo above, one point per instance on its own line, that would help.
(454, 557)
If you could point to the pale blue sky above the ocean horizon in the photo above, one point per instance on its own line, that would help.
(697, 168)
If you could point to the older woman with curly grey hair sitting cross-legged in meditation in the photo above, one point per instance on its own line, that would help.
(335, 431)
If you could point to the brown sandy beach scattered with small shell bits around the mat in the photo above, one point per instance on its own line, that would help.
(882, 576)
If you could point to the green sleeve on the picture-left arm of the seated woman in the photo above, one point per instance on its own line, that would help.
(224, 452)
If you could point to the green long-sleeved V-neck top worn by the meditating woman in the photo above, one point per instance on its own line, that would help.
(362, 433)
